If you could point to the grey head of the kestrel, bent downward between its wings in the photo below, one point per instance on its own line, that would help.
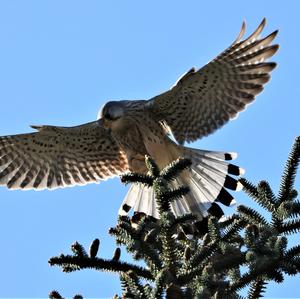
(111, 112)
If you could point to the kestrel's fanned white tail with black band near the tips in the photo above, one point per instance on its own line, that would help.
(208, 178)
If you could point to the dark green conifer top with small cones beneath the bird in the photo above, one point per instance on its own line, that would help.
(178, 265)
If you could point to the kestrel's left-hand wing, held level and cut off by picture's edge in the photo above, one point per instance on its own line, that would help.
(59, 157)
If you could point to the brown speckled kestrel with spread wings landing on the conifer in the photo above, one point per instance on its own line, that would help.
(198, 104)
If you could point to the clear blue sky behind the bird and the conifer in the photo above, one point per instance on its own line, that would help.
(60, 61)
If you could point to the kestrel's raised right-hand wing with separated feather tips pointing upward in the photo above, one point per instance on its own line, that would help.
(204, 100)
